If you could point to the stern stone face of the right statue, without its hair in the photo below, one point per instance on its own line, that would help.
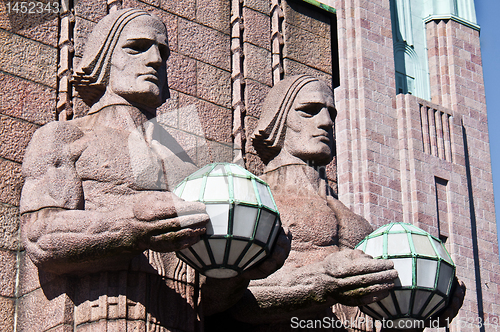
(309, 134)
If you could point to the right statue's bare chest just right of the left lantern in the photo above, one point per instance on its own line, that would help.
(309, 219)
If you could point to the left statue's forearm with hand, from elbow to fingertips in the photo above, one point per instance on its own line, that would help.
(63, 240)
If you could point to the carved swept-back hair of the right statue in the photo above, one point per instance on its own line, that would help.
(269, 135)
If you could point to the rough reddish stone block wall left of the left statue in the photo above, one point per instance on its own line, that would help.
(27, 101)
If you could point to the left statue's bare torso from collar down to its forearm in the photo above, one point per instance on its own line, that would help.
(115, 165)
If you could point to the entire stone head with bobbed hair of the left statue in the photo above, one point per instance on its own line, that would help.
(125, 55)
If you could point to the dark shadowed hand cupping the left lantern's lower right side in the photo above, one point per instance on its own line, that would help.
(272, 263)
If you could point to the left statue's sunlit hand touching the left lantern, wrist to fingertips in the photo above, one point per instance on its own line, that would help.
(164, 222)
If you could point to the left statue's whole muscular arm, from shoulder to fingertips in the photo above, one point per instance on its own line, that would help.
(62, 237)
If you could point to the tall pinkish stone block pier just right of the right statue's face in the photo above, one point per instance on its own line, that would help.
(367, 141)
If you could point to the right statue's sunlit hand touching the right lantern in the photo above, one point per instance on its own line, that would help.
(354, 278)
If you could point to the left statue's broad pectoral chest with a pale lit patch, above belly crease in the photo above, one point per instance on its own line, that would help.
(122, 159)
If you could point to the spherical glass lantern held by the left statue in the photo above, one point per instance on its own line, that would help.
(244, 219)
